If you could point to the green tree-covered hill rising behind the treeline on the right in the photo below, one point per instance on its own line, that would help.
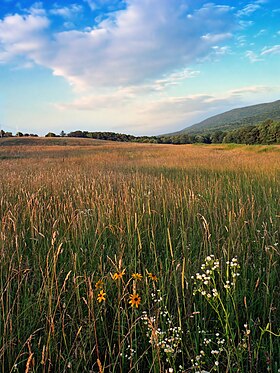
(236, 118)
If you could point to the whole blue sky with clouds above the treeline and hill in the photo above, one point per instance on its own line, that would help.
(142, 67)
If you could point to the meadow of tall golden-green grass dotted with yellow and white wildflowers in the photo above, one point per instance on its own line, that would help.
(139, 257)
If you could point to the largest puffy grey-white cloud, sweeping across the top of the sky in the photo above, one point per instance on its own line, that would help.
(141, 42)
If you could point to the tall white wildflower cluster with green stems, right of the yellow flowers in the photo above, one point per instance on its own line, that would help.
(216, 283)
